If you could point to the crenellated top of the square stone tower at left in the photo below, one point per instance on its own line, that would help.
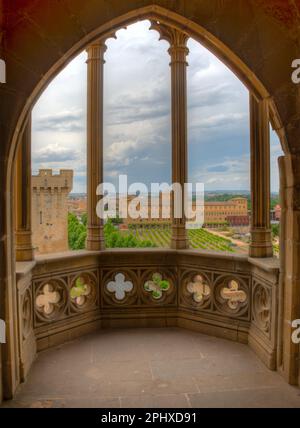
(45, 179)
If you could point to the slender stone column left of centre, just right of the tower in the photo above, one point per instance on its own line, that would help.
(95, 69)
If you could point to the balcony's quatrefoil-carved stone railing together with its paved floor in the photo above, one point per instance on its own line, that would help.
(89, 308)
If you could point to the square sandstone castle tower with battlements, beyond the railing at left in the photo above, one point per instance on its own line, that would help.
(50, 210)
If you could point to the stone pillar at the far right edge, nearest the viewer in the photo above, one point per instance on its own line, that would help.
(290, 264)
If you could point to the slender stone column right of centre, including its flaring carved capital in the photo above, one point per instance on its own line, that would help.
(178, 52)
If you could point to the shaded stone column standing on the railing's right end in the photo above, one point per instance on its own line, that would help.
(261, 236)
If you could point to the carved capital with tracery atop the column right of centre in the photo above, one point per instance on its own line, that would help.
(177, 39)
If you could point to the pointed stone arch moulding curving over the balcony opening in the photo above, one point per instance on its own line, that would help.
(196, 31)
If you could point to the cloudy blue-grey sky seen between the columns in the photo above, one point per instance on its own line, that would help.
(137, 117)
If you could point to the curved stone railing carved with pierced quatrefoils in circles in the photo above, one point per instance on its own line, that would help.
(63, 296)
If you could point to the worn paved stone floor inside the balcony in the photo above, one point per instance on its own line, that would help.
(152, 368)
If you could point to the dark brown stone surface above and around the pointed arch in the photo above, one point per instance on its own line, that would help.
(35, 35)
